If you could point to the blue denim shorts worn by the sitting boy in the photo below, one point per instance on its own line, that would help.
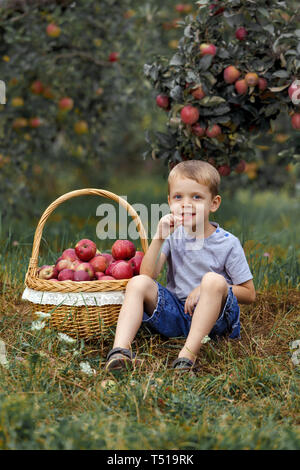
(169, 318)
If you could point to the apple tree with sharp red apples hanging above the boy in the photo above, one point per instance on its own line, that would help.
(233, 74)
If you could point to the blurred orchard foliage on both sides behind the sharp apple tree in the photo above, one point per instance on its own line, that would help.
(79, 104)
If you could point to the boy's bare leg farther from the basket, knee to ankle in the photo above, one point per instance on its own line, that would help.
(213, 294)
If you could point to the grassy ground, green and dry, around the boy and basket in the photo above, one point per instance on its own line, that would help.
(246, 396)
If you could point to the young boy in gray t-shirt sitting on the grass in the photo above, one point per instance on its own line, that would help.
(207, 277)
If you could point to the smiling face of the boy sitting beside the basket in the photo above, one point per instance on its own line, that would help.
(192, 202)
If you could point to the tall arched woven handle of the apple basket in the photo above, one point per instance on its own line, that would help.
(33, 262)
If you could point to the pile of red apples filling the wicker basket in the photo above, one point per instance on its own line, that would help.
(86, 263)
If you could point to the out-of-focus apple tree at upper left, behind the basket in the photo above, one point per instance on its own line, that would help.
(75, 90)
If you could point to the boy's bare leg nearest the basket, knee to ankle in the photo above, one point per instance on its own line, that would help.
(140, 295)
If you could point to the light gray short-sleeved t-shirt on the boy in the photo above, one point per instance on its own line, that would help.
(187, 262)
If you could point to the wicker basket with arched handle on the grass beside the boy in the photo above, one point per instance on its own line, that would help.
(81, 321)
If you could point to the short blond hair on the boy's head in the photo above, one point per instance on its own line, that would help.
(199, 171)
